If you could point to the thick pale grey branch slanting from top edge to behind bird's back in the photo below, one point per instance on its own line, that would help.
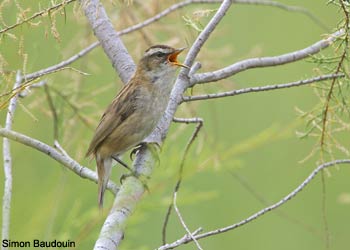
(109, 39)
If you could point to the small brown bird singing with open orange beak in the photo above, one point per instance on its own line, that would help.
(135, 111)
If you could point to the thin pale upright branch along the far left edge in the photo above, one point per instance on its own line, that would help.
(6, 205)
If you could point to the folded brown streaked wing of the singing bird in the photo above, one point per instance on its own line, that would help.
(116, 113)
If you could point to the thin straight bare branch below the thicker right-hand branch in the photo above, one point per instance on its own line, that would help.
(263, 88)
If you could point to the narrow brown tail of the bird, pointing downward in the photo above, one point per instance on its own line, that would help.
(104, 166)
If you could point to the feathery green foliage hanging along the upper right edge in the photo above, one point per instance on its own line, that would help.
(329, 120)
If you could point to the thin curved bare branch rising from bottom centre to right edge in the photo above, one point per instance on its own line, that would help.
(284, 200)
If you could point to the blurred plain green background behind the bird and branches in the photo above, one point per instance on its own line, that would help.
(246, 156)
